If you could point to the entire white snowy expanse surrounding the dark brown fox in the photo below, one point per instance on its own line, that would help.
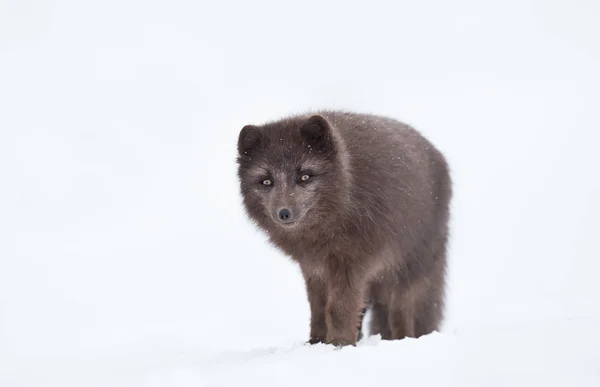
(125, 258)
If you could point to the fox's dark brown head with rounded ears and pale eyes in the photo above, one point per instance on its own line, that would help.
(290, 173)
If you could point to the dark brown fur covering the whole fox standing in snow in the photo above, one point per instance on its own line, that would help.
(371, 221)
